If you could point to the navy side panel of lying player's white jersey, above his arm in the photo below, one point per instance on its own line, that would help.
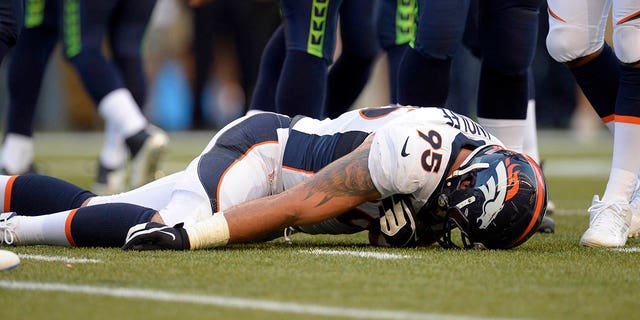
(311, 152)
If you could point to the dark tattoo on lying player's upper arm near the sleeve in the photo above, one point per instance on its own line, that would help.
(348, 176)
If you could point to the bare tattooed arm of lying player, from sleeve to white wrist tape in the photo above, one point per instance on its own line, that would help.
(340, 186)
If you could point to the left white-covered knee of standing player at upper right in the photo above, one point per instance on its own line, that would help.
(567, 42)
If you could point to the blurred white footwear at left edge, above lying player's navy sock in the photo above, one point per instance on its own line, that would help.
(17, 153)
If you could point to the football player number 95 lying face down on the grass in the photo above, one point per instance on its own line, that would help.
(406, 175)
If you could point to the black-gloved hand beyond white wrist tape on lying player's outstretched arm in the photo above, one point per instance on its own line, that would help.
(156, 236)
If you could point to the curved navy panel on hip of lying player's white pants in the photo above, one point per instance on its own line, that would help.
(233, 144)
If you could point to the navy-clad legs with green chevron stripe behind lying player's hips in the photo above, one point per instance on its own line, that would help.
(298, 74)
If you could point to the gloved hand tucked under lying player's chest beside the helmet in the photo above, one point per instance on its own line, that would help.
(397, 221)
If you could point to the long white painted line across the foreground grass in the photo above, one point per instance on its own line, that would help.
(231, 302)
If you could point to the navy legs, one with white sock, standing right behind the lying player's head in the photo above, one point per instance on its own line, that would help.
(507, 34)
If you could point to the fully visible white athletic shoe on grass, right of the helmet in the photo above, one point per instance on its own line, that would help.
(608, 224)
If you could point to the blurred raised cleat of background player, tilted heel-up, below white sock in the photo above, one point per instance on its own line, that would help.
(146, 148)
